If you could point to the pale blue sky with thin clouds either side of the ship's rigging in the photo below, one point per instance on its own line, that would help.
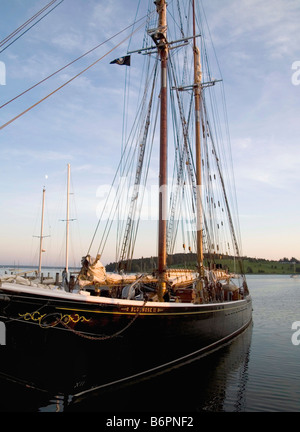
(257, 42)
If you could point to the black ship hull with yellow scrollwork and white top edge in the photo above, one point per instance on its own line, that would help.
(125, 338)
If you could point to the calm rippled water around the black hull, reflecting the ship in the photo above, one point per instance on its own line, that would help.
(258, 371)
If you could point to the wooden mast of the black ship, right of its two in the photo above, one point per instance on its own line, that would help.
(197, 97)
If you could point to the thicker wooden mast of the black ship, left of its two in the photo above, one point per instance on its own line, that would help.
(160, 38)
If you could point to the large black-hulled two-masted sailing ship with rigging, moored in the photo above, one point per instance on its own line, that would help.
(136, 323)
